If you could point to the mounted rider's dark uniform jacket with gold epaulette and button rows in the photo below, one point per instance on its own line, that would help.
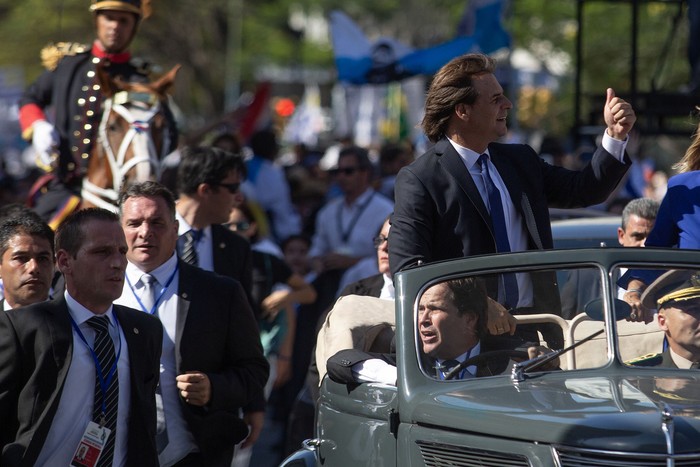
(68, 95)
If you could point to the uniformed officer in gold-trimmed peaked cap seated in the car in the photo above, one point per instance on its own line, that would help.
(676, 296)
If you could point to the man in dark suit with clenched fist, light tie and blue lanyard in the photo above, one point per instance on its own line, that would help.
(212, 362)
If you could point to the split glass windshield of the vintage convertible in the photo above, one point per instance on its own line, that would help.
(458, 334)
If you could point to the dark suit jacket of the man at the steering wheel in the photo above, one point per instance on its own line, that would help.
(339, 366)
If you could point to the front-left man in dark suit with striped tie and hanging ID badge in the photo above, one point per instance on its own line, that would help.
(51, 352)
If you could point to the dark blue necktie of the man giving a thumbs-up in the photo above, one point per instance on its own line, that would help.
(508, 287)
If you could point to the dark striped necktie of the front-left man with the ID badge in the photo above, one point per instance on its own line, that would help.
(104, 350)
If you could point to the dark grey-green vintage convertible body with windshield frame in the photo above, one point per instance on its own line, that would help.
(614, 414)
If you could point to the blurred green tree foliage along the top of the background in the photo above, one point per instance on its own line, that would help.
(198, 34)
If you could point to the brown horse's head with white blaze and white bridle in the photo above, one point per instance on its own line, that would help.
(132, 138)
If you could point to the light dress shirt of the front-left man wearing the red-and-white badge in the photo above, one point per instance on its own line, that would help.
(75, 407)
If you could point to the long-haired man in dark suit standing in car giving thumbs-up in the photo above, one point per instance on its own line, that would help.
(469, 195)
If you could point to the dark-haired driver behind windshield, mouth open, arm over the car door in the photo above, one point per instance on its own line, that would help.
(452, 327)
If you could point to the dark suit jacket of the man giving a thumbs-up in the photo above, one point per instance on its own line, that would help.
(439, 213)
